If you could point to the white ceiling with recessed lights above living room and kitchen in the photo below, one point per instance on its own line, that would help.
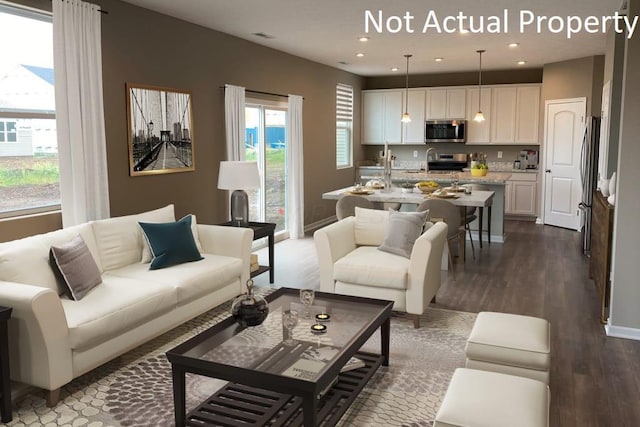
(327, 31)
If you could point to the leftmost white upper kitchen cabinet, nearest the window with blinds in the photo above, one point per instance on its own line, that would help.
(381, 114)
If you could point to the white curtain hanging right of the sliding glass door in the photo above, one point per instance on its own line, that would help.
(295, 168)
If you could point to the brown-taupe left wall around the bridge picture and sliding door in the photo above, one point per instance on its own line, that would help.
(145, 47)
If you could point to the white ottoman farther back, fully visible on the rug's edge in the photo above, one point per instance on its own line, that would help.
(510, 344)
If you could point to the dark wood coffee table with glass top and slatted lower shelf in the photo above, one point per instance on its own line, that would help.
(255, 361)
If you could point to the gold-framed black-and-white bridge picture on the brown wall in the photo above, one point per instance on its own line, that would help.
(160, 130)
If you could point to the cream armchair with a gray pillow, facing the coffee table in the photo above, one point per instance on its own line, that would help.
(351, 264)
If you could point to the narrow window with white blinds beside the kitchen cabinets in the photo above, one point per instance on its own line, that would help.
(344, 126)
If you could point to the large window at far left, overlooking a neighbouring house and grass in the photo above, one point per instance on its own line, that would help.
(29, 173)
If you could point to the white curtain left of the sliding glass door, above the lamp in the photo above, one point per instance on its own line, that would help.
(234, 97)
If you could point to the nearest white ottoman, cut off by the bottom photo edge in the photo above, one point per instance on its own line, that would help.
(489, 399)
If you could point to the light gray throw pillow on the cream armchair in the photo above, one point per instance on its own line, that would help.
(404, 229)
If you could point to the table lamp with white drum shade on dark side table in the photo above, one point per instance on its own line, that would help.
(239, 176)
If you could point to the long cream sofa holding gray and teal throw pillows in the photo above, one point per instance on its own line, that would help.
(54, 339)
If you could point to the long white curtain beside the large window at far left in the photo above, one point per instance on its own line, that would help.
(77, 60)
